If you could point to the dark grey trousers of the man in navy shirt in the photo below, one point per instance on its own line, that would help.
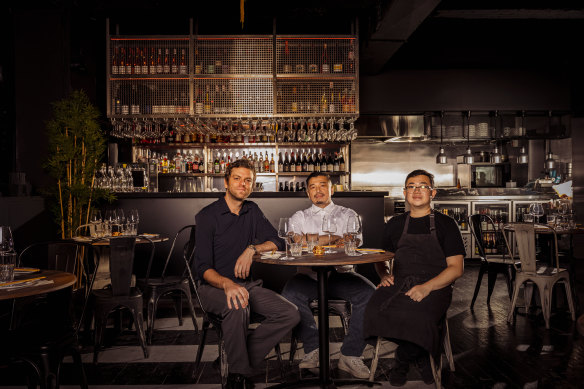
(246, 350)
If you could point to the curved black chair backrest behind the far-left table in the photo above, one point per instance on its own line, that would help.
(52, 255)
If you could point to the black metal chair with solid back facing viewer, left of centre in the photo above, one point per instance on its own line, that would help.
(121, 295)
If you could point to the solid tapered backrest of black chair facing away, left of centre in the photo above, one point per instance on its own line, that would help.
(121, 264)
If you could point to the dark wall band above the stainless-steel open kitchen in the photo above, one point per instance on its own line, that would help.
(460, 89)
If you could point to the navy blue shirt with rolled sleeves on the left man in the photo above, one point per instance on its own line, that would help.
(222, 236)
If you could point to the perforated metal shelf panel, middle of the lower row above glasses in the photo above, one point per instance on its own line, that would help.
(233, 97)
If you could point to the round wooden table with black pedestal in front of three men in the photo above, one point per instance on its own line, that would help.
(322, 264)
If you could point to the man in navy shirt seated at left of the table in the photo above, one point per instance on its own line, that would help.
(229, 232)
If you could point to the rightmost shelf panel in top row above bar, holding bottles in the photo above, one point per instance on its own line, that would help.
(317, 56)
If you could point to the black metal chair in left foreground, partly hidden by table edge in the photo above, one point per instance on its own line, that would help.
(43, 347)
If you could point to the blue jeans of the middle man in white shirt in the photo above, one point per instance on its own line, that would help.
(353, 287)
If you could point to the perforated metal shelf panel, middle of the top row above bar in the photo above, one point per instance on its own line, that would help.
(234, 55)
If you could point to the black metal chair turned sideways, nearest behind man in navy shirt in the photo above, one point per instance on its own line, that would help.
(177, 285)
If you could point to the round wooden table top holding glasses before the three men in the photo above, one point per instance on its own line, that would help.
(338, 258)
